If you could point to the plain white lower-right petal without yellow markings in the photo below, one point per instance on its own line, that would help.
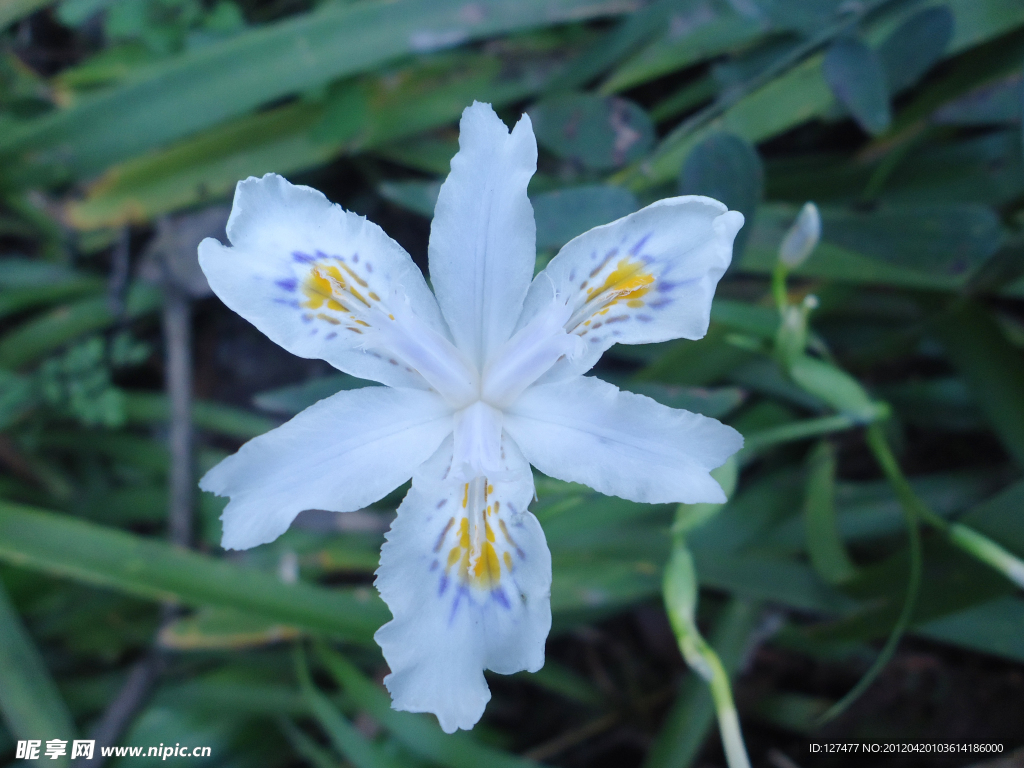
(586, 431)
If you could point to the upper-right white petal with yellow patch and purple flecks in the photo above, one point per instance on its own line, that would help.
(649, 277)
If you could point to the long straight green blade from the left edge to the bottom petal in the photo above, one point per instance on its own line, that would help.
(95, 554)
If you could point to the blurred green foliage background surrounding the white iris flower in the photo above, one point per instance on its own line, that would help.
(858, 586)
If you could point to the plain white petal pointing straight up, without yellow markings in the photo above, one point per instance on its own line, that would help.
(483, 240)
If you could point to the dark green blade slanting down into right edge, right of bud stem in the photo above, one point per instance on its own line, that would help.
(994, 369)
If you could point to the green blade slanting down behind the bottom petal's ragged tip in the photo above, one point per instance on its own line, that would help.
(418, 734)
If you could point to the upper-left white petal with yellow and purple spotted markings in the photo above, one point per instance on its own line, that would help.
(304, 271)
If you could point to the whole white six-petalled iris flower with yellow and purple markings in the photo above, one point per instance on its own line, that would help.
(484, 378)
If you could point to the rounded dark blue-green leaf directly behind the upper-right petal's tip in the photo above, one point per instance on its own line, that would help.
(728, 168)
